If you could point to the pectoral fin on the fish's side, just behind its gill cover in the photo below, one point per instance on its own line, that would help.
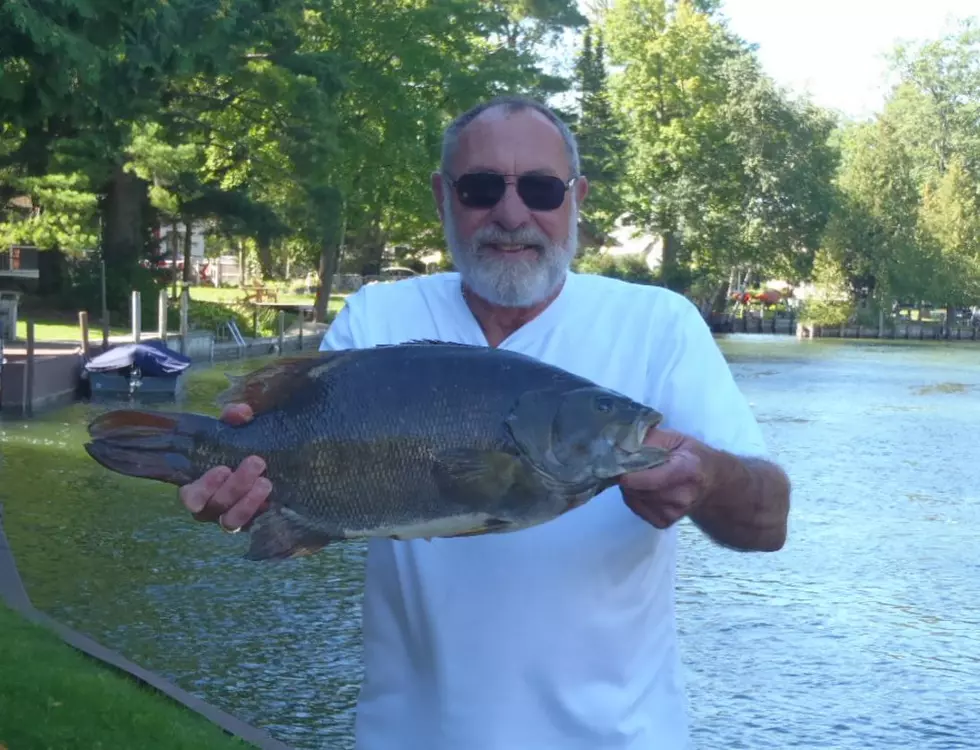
(477, 476)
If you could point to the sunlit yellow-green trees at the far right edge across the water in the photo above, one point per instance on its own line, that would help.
(905, 226)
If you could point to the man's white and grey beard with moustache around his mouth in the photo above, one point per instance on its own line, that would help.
(511, 282)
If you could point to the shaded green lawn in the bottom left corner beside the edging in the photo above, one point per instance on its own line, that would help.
(54, 697)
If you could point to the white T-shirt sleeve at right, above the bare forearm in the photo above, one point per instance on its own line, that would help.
(699, 395)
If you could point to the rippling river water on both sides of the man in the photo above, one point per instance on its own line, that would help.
(863, 632)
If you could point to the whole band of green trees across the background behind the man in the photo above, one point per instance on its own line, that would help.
(306, 130)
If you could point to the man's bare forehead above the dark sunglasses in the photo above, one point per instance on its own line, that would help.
(500, 139)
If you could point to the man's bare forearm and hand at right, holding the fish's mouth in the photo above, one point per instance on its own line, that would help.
(742, 503)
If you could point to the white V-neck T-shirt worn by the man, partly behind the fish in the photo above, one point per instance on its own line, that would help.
(561, 636)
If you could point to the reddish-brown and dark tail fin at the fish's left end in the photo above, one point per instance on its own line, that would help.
(148, 444)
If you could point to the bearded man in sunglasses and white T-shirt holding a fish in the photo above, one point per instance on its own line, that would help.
(560, 636)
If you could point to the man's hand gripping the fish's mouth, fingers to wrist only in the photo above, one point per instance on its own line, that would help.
(665, 494)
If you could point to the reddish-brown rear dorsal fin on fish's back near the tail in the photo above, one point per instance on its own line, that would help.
(272, 386)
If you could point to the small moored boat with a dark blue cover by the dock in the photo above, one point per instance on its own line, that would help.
(150, 369)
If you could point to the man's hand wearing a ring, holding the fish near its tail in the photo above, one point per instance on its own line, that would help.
(230, 498)
